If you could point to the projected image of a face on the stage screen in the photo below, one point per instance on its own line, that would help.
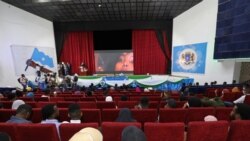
(114, 61)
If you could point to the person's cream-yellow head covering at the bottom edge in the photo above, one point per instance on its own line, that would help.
(87, 134)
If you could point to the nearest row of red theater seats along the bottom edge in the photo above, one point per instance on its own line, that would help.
(196, 131)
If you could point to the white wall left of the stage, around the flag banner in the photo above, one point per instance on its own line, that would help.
(18, 27)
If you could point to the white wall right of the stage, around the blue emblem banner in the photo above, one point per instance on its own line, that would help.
(198, 25)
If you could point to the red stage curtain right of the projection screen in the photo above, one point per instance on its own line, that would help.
(148, 56)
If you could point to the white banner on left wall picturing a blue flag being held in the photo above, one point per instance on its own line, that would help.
(29, 59)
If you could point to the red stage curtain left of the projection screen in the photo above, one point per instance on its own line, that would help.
(78, 47)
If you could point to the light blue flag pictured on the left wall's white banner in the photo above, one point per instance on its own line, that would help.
(42, 58)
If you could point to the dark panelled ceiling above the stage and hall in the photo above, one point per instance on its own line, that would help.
(105, 10)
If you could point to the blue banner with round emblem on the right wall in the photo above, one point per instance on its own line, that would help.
(189, 58)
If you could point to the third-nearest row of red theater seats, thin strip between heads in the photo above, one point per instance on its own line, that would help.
(95, 105)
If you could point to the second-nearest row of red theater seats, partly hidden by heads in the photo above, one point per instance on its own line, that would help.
(144, 115)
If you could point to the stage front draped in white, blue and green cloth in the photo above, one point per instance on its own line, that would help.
(159, 82)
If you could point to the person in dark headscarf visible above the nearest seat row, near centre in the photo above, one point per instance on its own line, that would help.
(125, 115)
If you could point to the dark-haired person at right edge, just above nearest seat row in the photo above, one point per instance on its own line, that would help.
(240, 111)
